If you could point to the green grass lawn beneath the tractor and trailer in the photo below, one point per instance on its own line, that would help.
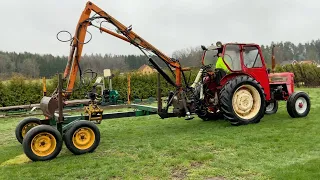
(278, 147)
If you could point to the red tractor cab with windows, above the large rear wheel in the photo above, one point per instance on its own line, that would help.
(240, 59)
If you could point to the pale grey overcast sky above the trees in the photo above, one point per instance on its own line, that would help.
(169, 25)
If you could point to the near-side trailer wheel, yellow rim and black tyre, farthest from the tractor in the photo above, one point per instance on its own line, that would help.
(42, 143)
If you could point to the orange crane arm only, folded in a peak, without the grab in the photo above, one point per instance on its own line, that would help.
(125, 33)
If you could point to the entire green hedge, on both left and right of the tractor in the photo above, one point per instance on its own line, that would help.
(19, 90)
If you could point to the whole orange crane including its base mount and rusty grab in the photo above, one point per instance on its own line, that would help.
(49, 104)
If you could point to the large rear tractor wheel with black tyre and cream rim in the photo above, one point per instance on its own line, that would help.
(242, 100)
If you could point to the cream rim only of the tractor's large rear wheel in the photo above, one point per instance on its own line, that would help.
(246, 102)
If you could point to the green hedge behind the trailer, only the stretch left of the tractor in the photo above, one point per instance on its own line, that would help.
(20, 90)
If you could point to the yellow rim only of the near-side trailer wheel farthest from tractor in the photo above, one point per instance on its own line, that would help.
(43, 144)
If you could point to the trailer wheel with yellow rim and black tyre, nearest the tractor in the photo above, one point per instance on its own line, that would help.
(82, 137)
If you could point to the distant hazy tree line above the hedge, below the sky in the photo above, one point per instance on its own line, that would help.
(46, 65)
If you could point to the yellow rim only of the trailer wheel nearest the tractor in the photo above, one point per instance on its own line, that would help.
(83, 138)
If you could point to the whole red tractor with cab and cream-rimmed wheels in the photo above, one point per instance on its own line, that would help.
(248, 90)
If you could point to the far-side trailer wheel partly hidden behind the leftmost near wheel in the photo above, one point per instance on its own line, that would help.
(24, 126)
